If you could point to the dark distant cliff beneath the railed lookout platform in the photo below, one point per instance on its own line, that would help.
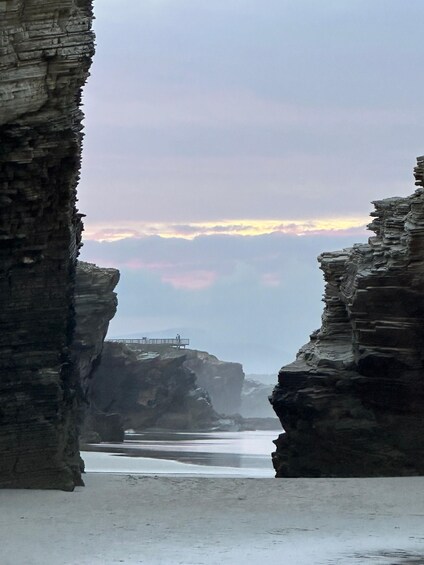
(135, 389)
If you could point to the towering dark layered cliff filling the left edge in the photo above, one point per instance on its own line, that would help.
(46, 51)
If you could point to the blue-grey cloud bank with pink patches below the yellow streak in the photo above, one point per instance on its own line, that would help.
(248, 299)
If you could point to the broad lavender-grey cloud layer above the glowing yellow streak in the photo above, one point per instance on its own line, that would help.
(205, 111)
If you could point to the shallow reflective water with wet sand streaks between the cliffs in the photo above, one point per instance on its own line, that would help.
(244, 454)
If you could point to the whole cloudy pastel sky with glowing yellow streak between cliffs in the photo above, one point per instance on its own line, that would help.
(228, 143)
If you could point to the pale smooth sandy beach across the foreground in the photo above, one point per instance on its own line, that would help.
(171, 520)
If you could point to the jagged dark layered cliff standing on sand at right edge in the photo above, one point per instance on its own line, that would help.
(352, 403)
